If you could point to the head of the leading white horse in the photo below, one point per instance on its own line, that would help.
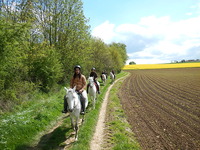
(72, 98)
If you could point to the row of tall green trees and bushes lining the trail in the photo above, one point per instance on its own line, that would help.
(41, 41)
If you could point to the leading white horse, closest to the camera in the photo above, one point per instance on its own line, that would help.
(74, 106)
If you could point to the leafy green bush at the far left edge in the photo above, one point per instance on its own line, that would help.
(13, 68)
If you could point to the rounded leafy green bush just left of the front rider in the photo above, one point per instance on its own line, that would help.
(45, 67)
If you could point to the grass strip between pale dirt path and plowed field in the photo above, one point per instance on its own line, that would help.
(120, 134)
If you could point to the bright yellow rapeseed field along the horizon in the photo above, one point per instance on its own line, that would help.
(161, 66)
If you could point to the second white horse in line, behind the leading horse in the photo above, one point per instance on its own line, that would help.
(92, 90)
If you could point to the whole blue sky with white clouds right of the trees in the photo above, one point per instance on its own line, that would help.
(154, 31)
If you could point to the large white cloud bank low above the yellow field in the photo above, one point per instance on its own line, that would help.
(155, 40)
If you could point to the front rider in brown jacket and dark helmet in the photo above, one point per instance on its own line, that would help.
(79, 81)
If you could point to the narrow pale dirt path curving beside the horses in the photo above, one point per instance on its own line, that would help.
(97, 139)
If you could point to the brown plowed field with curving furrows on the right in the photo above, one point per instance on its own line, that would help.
(163, 107)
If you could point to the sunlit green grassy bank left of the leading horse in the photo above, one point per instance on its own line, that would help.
(20, 127)
